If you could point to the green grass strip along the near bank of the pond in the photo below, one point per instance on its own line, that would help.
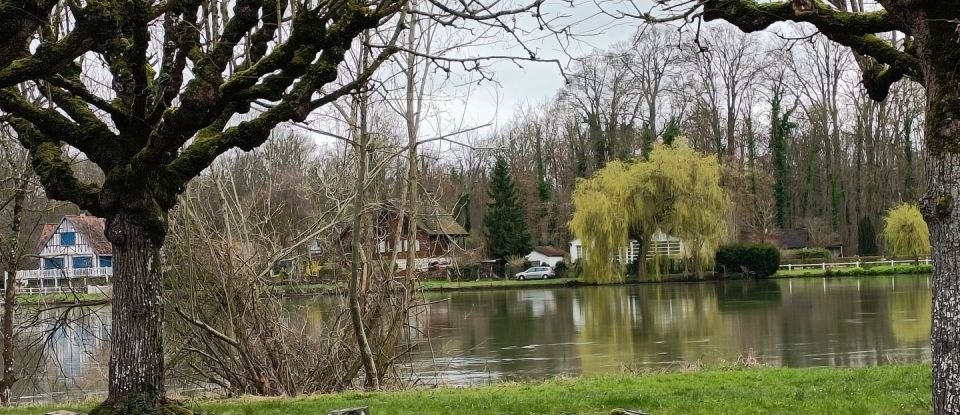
(883, 390)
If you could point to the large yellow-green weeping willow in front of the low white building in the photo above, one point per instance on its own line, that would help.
(676, 190)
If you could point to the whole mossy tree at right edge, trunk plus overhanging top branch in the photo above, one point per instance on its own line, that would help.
(929, 56)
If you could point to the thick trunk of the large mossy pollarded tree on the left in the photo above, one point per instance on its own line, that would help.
(136, 382)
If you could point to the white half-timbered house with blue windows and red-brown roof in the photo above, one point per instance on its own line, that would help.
(73, 253)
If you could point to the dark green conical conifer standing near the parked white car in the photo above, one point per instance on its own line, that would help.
(505, 226)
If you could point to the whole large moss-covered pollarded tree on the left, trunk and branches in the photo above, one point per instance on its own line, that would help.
(152, 127)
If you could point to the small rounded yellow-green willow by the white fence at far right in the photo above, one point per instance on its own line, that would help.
(905, 232)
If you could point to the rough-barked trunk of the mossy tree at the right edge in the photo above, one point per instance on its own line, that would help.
(939, 53)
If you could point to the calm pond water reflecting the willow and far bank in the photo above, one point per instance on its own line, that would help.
(473, 337)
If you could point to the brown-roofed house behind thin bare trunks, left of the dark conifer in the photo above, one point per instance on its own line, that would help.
(439, 237)
